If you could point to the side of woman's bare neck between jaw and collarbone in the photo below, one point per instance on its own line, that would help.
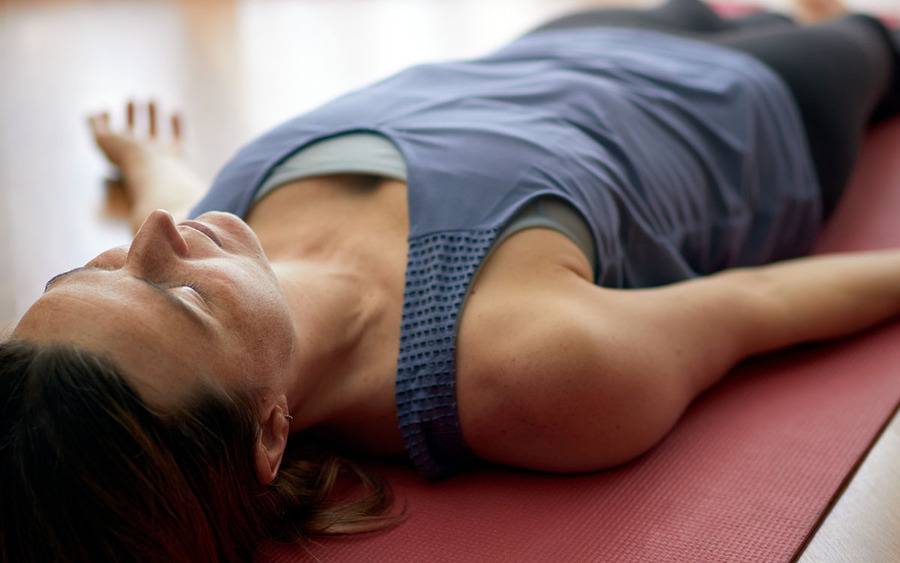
(337, 312)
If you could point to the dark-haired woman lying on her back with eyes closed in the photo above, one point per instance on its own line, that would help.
(537, 258)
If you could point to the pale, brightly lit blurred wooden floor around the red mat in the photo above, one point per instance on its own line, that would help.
(236, 68)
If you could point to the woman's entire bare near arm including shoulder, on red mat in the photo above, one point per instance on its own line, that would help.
(592, 377)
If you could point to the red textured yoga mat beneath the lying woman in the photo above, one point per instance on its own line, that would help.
(745, 475)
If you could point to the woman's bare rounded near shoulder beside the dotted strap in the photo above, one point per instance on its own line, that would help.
(535, 380)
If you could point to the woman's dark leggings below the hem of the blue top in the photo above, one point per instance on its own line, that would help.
(844, 74)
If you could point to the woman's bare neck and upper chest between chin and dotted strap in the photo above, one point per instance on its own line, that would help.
(337, 245)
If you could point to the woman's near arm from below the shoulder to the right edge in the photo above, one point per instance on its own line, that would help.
(708, 324)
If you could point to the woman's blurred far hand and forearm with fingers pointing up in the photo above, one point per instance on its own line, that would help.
(154, 173)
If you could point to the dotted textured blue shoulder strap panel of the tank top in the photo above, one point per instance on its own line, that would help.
(440, 267)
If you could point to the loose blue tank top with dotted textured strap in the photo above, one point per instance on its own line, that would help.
(683, 157)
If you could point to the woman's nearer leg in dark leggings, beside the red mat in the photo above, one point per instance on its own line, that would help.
(839, 73)
